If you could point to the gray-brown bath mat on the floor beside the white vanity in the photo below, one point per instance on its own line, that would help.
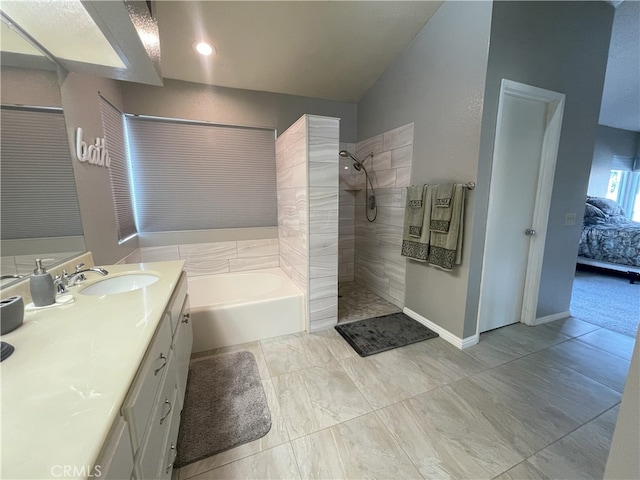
(224, 406)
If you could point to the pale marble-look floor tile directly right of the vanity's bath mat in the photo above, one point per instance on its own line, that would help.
(316, 398)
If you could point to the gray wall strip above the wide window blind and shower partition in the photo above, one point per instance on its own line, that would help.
(194, 101)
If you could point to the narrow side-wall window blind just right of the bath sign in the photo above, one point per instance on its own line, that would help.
(115, 139)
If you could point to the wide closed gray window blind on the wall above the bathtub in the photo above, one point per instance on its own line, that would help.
(194, 176)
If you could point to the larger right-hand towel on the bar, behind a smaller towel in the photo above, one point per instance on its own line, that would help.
(446, 248)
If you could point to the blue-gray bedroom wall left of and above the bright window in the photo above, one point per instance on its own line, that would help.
(609, 142)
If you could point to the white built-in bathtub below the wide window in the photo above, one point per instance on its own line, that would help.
(233, 308)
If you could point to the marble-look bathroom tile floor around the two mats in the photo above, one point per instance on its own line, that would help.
(526, 402)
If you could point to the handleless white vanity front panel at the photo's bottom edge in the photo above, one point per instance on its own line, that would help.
(116, 458)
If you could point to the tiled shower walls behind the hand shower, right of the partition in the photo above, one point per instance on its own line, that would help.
(369, 252)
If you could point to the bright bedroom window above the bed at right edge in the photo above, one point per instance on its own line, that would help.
(624, 186)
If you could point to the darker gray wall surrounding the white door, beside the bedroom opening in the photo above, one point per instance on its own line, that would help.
(560, 46)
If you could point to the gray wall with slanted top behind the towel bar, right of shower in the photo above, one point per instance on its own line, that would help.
(438, 83)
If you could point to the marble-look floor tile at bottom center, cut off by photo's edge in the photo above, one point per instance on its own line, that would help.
(358, 449)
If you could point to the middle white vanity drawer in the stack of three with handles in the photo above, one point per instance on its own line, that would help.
(152, 455)
